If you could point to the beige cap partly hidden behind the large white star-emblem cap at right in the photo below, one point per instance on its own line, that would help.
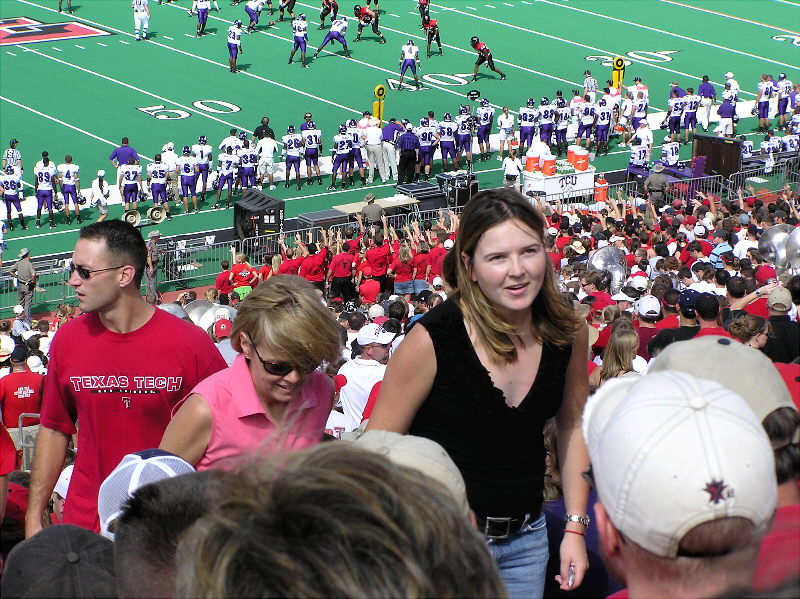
(742, 369)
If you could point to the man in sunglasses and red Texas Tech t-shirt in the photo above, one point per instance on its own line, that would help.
(118, 369)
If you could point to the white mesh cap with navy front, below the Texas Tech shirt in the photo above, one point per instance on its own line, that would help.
(134, 471)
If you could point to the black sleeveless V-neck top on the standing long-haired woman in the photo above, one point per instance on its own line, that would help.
(498, 449)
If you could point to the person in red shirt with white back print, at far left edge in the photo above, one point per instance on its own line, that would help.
(20, 391)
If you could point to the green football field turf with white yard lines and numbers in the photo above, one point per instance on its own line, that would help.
(77, 83)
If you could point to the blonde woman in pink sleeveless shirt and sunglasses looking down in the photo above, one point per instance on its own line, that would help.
(273, 397)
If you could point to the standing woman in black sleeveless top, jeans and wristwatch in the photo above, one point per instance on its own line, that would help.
(482, 374)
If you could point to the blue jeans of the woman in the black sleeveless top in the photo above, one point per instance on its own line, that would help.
(523, 560)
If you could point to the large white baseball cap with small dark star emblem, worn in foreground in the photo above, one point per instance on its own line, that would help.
(670, 451)
